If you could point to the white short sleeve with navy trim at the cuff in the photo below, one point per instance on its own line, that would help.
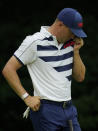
(27, 52)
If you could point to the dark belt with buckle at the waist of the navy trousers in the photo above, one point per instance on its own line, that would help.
(63, 104)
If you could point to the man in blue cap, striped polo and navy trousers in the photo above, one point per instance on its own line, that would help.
(52, 58)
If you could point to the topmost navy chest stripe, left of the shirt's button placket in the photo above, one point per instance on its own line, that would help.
(46, 48)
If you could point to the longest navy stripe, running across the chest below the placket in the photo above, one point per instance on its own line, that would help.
(57, 58)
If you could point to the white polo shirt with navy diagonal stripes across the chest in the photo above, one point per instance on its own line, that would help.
(49, 65)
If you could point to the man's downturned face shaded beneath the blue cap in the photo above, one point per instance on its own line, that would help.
(65, 34)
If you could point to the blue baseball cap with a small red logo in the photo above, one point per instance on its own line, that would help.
(73, 19)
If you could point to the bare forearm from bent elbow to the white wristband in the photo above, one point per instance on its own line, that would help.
(12, 78)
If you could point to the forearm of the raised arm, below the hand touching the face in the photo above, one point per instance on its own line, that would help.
(78, 67)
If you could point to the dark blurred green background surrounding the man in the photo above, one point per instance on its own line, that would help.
(21, 18)
